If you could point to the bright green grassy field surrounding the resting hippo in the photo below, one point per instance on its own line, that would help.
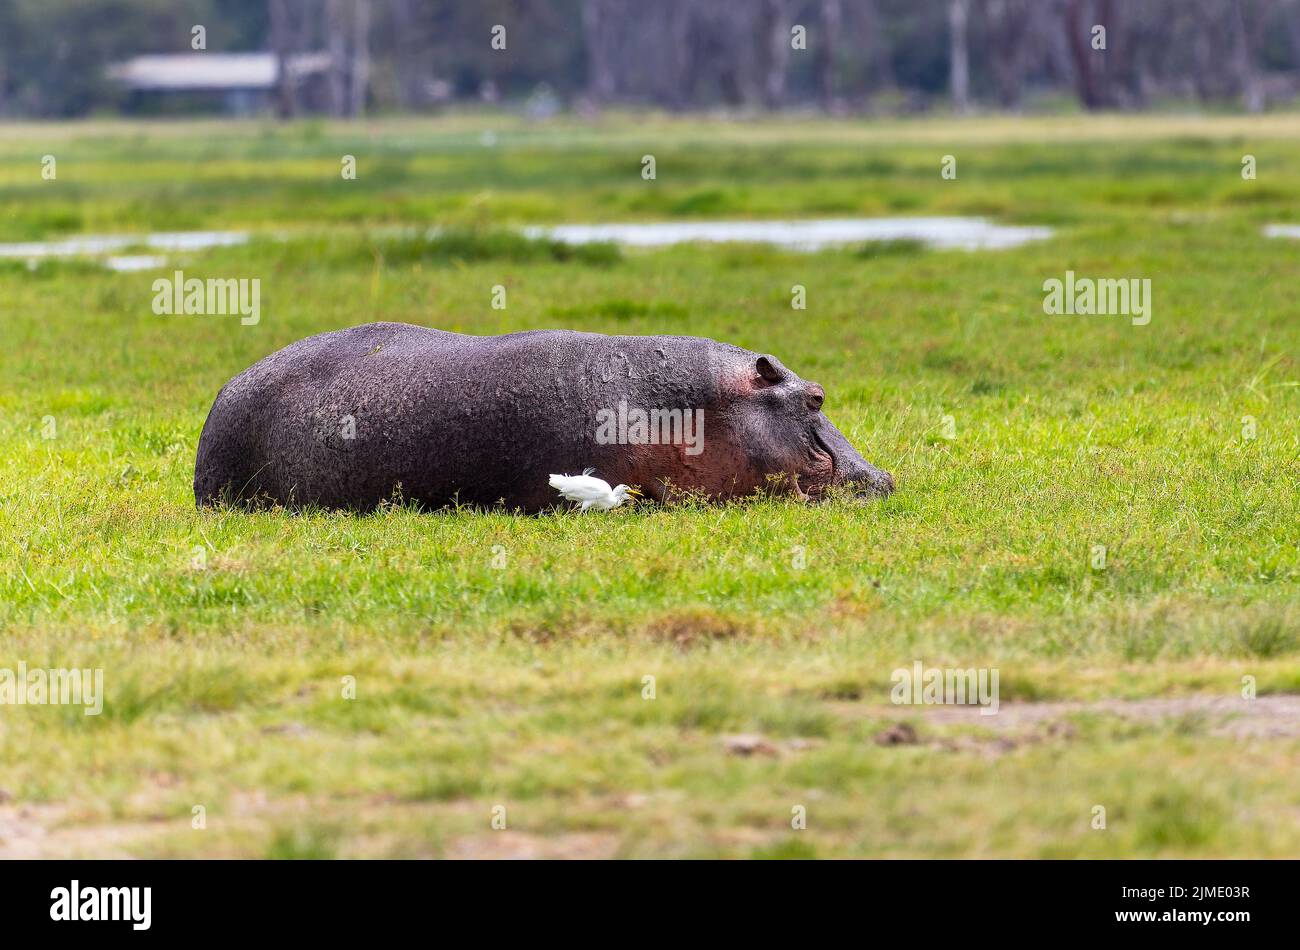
(500, 662)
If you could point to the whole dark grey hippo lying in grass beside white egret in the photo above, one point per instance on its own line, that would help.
(384, 413)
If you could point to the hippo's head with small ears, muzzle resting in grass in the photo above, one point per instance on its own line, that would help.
(785, 432)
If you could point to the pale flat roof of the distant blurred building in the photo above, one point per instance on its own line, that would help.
(211, 72)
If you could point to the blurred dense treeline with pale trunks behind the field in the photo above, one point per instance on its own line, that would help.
(837, 55)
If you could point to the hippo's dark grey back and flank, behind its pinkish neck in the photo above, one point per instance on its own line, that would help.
(358, 417)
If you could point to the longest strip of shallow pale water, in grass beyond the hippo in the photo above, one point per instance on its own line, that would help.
(972, 235)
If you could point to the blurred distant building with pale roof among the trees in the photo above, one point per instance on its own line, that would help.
(244, 84)
